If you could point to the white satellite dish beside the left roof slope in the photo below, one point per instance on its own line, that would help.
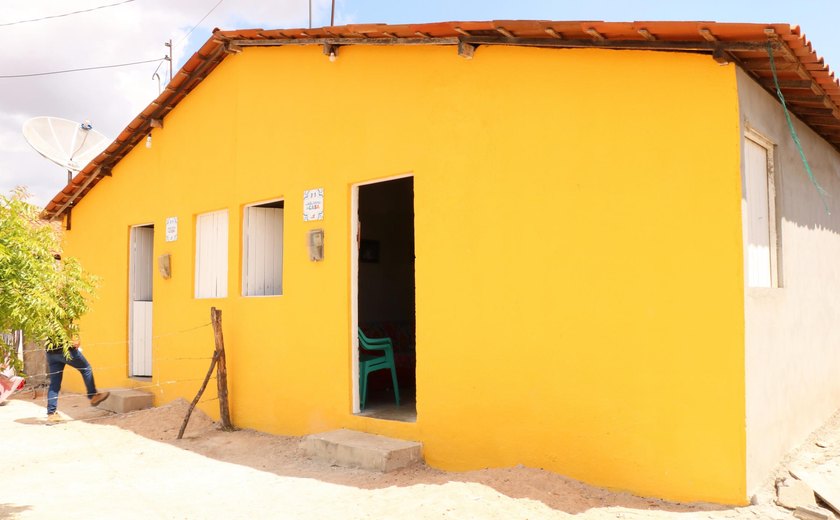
(64, 142)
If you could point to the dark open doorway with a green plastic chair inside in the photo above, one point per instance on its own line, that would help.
(384, 263)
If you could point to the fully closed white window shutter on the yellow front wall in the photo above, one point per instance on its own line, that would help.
(211, 254)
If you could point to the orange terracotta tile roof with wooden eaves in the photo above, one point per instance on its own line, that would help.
(812, 87)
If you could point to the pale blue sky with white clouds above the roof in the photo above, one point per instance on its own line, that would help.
(136, 30)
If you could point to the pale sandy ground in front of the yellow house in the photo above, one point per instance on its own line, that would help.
(102, 465)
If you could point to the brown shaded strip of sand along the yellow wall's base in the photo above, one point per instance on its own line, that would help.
(282, 456)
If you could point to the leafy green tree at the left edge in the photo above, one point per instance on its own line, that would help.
(40, 295)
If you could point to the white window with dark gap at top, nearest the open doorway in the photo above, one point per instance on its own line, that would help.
(257, 252)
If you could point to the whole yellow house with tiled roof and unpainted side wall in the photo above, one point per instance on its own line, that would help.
(595, 246)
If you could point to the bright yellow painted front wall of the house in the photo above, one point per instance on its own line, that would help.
(578, 274)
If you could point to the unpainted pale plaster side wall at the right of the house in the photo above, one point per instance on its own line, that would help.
(792, 338)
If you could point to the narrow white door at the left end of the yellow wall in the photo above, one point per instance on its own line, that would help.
(140, 301)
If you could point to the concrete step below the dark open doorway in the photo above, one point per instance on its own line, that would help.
(354, 449)
